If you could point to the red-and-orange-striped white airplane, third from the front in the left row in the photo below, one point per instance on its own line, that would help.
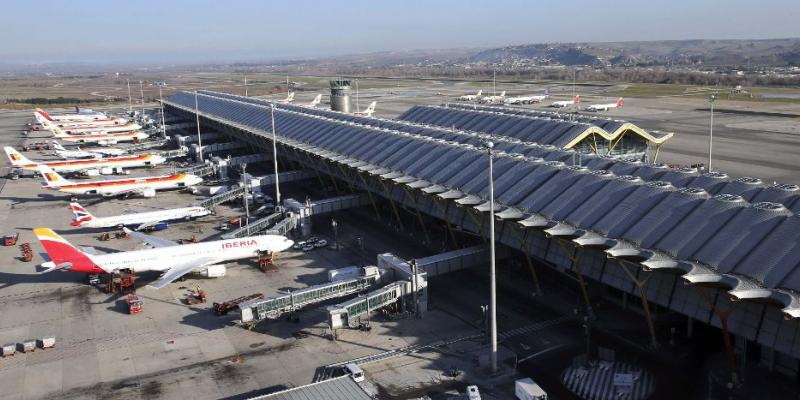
(144, 186)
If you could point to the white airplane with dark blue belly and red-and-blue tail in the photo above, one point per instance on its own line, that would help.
(156, 220)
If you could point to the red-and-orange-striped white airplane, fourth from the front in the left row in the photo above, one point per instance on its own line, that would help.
(141, 160)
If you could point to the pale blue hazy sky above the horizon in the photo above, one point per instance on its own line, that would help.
(183, 31)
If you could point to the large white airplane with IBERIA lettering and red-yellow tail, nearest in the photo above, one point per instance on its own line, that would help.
(166, 256)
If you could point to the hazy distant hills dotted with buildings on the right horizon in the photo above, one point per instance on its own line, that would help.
(767, 52)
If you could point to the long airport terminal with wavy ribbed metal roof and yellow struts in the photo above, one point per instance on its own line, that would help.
(716, 251)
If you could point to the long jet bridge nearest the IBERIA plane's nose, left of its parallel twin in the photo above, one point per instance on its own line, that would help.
(273, 307)
